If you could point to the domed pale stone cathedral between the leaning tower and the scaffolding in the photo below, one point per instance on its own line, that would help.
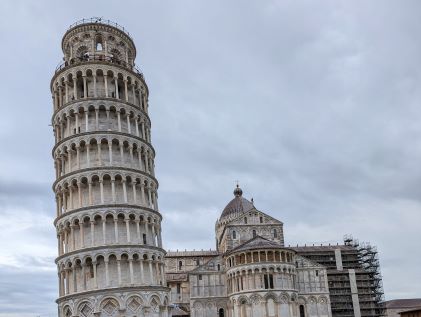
(251, 272)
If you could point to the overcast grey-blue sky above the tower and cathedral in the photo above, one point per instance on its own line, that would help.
(314, 106)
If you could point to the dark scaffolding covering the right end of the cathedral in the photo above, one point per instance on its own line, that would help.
(357, 257)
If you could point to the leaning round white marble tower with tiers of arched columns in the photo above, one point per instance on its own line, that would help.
(110, 255)
